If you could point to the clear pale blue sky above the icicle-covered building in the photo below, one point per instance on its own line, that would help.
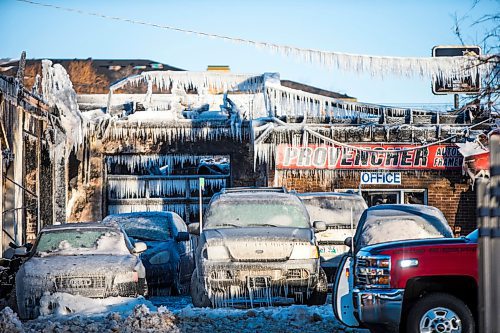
(390, 28)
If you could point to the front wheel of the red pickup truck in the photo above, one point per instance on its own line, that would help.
(440, 312)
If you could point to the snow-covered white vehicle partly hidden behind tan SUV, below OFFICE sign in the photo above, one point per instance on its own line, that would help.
(341, 213)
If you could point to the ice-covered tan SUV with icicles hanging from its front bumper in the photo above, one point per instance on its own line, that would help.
(256, 246)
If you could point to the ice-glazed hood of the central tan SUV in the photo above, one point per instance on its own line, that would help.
(267, 243)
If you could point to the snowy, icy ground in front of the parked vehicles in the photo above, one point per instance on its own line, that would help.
(170, 314)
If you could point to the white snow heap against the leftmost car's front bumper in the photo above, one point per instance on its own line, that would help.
(63, 304)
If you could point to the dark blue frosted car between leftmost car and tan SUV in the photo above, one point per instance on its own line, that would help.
(169, 258)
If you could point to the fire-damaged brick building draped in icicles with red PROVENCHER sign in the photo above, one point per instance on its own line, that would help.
(144, 141)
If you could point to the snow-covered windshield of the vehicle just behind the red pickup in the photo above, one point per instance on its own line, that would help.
(402, 223)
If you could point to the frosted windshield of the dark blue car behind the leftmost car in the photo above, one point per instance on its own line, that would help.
(144, 226)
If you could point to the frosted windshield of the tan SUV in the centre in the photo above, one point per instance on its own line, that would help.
(251, 211)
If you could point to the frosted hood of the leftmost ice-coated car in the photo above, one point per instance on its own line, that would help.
(79, 265)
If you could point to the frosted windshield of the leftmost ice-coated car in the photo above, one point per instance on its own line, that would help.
(81, 242)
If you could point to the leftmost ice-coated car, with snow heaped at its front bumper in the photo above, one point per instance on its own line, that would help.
(88, 259)
